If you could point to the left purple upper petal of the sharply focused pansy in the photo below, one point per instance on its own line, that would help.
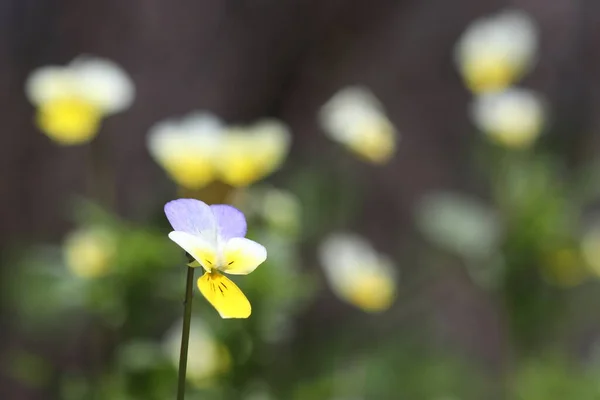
(191, 216)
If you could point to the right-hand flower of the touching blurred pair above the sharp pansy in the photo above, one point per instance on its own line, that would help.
(248, 154)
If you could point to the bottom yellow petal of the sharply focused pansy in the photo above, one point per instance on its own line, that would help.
(224, 296)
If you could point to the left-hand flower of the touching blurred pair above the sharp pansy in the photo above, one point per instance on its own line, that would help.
(187, 148)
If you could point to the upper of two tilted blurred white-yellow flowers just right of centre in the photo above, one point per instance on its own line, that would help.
(356, 119)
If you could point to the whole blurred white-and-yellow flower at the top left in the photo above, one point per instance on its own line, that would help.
(73, 99)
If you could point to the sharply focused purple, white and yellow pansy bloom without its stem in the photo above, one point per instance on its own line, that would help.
(214, 237)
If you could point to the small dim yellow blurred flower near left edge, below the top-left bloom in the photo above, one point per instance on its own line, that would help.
(89, 252)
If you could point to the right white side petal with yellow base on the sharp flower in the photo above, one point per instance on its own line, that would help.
(242, 256)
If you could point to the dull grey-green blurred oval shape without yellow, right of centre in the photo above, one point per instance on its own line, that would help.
(459, 224)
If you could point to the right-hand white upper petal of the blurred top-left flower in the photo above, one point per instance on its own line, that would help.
(104, 83)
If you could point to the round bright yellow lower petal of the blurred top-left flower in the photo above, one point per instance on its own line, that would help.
(69, 120)
